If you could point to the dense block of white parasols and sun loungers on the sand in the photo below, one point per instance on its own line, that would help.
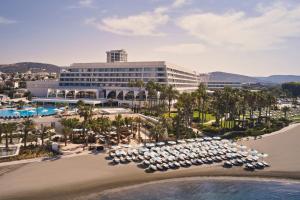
(185, 153)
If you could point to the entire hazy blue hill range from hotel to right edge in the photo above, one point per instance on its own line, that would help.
(274, 79)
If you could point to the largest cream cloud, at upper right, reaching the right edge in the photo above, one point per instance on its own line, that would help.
(270, 28)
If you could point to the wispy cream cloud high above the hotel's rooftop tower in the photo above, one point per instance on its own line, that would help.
(144, 24)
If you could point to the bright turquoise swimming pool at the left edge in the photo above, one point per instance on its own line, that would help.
(28, 112)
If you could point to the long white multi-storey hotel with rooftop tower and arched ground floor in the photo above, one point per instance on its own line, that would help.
(102, 82)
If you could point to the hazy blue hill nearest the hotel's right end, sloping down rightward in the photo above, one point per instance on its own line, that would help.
(227, 77)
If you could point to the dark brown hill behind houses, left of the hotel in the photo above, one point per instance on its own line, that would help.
(26, 66)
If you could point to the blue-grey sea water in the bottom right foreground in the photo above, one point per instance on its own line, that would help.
(210, 189)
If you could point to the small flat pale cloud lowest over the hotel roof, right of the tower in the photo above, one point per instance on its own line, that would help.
(183, 48)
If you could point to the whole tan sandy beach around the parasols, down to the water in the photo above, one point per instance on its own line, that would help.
(78, 176)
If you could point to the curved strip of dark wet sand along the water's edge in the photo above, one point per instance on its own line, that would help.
(81, 190)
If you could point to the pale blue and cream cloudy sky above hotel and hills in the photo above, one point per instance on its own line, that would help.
(251, 37)
